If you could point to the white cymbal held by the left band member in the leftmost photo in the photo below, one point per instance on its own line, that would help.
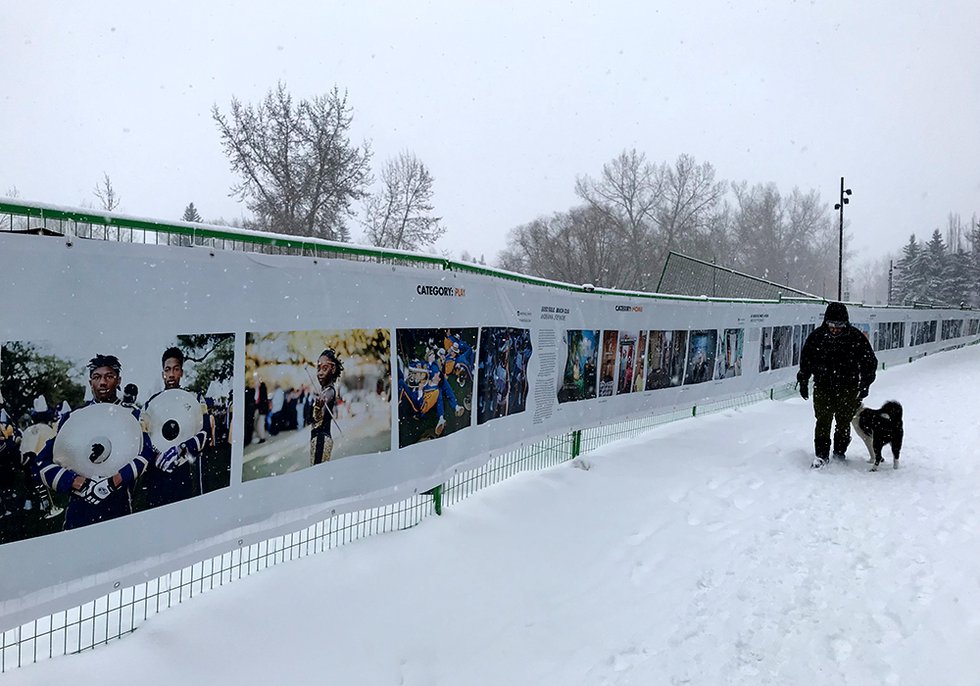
(98, 440)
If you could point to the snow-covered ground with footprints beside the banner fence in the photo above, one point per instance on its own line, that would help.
(703, 552)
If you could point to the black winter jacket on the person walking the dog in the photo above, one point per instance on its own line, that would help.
(845, 361)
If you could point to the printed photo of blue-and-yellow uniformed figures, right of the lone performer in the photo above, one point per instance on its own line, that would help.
(435, 382)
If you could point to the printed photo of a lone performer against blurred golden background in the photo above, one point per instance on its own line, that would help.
(314, 396)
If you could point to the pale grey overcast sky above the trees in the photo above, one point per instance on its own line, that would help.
(507, 102)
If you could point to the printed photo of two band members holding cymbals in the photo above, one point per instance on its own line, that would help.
(94, 429)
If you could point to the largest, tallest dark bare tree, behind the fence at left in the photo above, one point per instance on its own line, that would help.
(299, 171)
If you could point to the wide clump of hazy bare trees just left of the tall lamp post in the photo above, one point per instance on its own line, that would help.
(635, 212)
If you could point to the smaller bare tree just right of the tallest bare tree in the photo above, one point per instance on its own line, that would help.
(400, 214)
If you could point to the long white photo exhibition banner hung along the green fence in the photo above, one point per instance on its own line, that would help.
(161, 404)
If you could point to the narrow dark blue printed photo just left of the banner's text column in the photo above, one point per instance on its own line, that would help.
(504, 357)
